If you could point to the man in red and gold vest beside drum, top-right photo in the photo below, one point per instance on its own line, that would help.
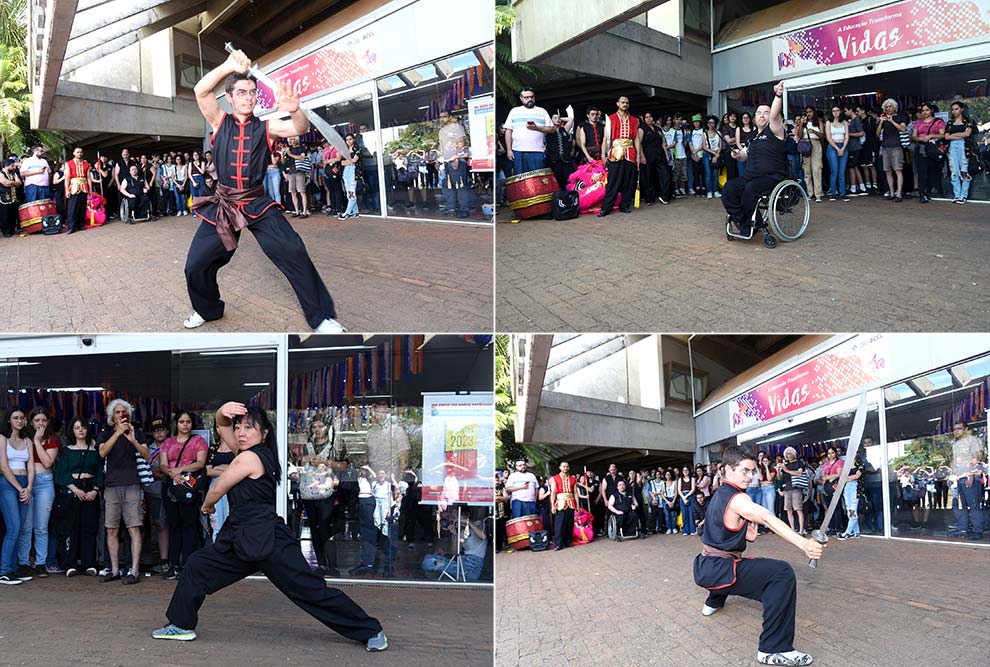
(624, 151)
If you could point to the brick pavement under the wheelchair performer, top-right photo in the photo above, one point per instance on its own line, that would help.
(866, 265)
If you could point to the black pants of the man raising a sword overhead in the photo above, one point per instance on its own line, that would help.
(280, 243)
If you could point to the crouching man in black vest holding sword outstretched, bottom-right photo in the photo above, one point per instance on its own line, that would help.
(731, 520)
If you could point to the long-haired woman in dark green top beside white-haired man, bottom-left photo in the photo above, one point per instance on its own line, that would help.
(79, 475)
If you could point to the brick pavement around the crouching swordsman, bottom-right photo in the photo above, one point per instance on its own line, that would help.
(871, 602)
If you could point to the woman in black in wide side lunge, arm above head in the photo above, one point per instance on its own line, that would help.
(255, 538)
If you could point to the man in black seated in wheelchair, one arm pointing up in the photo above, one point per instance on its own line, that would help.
(765, 156)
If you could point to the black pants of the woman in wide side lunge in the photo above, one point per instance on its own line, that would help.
(210, 570)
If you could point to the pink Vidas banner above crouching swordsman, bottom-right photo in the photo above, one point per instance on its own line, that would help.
(848, 367)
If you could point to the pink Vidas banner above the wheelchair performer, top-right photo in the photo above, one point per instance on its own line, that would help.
(904, 26)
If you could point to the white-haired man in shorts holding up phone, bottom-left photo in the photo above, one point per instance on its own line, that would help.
(120, 445)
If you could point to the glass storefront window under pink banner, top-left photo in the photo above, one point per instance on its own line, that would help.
(430, 168)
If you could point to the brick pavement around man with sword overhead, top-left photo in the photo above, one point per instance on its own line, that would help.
(384, 274)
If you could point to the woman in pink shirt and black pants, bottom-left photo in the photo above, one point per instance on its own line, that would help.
(182, 455)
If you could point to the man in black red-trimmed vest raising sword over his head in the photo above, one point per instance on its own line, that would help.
(242, 144)
